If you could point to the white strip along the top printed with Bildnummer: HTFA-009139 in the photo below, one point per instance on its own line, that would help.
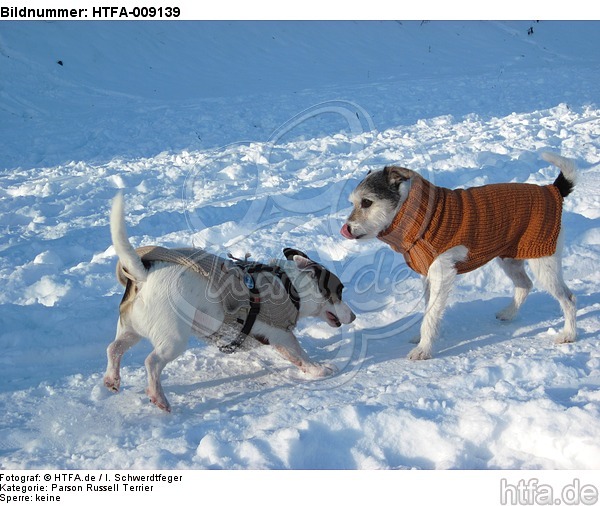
(345, 10)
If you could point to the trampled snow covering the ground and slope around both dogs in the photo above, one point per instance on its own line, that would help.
(248, 137)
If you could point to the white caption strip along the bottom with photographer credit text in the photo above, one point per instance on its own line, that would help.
(348, 488)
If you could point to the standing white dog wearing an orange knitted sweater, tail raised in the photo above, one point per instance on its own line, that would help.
(443, 232)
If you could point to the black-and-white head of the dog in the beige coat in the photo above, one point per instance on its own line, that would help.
(320, 290)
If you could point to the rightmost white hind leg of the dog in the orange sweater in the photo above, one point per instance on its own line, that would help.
(548, 271)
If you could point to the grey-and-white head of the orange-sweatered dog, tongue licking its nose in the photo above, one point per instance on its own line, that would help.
(376, 200)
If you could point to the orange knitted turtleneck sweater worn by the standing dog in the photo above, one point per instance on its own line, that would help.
(507, 220)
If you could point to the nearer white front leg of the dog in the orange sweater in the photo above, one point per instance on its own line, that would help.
(440, 278)
